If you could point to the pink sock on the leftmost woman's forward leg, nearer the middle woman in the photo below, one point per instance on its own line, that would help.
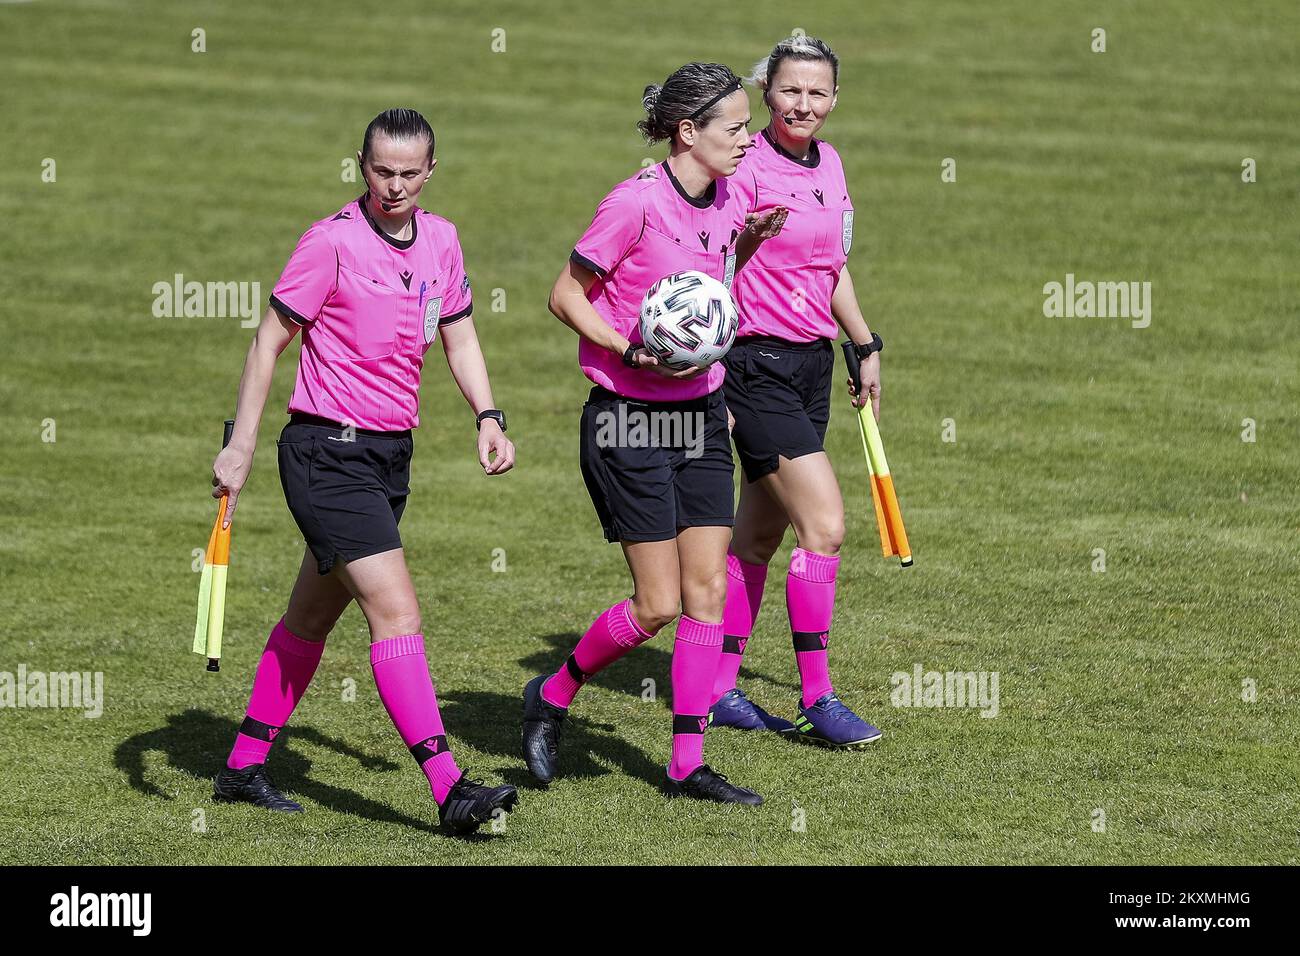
(402, 676)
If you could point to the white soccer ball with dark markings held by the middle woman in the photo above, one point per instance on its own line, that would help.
(688, 319)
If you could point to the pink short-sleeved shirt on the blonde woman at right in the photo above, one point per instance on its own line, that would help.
(786, 289)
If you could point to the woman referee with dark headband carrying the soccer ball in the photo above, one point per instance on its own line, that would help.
(669, 505)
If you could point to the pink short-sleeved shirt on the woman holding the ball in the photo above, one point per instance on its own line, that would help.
(648, 228)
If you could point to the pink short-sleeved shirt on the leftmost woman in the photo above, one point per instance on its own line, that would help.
(370, 308)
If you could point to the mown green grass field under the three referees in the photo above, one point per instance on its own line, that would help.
(1120, 691)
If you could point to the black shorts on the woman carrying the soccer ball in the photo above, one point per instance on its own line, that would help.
(656, 468)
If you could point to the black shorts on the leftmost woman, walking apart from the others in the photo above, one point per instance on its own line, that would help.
(346, 496)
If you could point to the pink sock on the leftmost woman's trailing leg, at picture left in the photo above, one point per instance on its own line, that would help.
(284, 673)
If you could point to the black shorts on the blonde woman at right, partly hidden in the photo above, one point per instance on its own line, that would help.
(781, 396)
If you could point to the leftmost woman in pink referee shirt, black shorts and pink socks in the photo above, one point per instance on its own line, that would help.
(371, 287)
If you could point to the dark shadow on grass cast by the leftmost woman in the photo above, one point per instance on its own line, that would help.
(197, 743)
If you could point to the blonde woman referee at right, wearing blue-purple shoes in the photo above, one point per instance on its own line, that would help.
(794, 300)
